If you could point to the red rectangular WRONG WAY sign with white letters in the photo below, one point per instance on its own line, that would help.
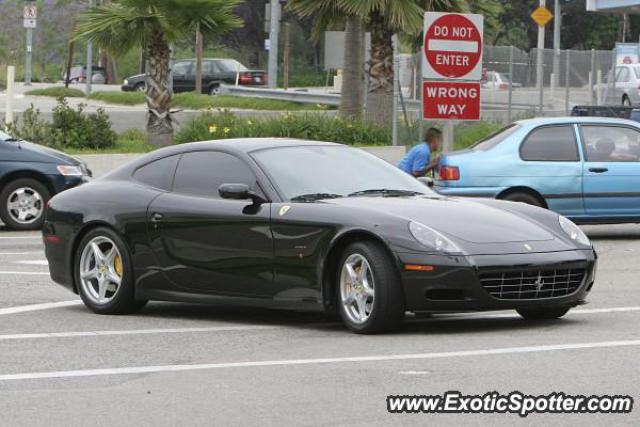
(451, 100)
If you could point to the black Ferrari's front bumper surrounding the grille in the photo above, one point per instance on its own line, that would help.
(454, 284)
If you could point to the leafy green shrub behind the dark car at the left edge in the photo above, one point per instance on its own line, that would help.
(70, 128)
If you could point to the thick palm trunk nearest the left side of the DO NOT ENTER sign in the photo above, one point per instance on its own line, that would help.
(380, 97)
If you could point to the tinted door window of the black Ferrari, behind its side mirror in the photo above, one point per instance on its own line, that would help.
(201, 173)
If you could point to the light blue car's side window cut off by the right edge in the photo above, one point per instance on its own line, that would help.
(611, 143)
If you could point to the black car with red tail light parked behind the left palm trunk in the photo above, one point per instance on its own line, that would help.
(214, 73)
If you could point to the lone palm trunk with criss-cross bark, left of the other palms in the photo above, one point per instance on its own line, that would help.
(158, 91)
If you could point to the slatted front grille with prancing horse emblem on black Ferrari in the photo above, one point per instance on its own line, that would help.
(532, 284)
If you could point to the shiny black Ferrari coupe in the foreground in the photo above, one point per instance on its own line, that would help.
(302, 224)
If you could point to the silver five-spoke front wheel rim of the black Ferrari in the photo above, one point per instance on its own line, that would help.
(357, 288)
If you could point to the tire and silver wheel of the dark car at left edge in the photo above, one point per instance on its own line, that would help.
(22, 204)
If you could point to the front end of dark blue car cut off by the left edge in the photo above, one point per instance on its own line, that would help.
(30, 175)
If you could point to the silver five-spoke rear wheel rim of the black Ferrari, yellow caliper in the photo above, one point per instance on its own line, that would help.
(101, 270)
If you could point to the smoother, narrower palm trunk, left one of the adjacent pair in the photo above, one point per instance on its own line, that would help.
(352, 82)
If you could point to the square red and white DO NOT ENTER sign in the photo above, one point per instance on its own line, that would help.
(452, 46)
